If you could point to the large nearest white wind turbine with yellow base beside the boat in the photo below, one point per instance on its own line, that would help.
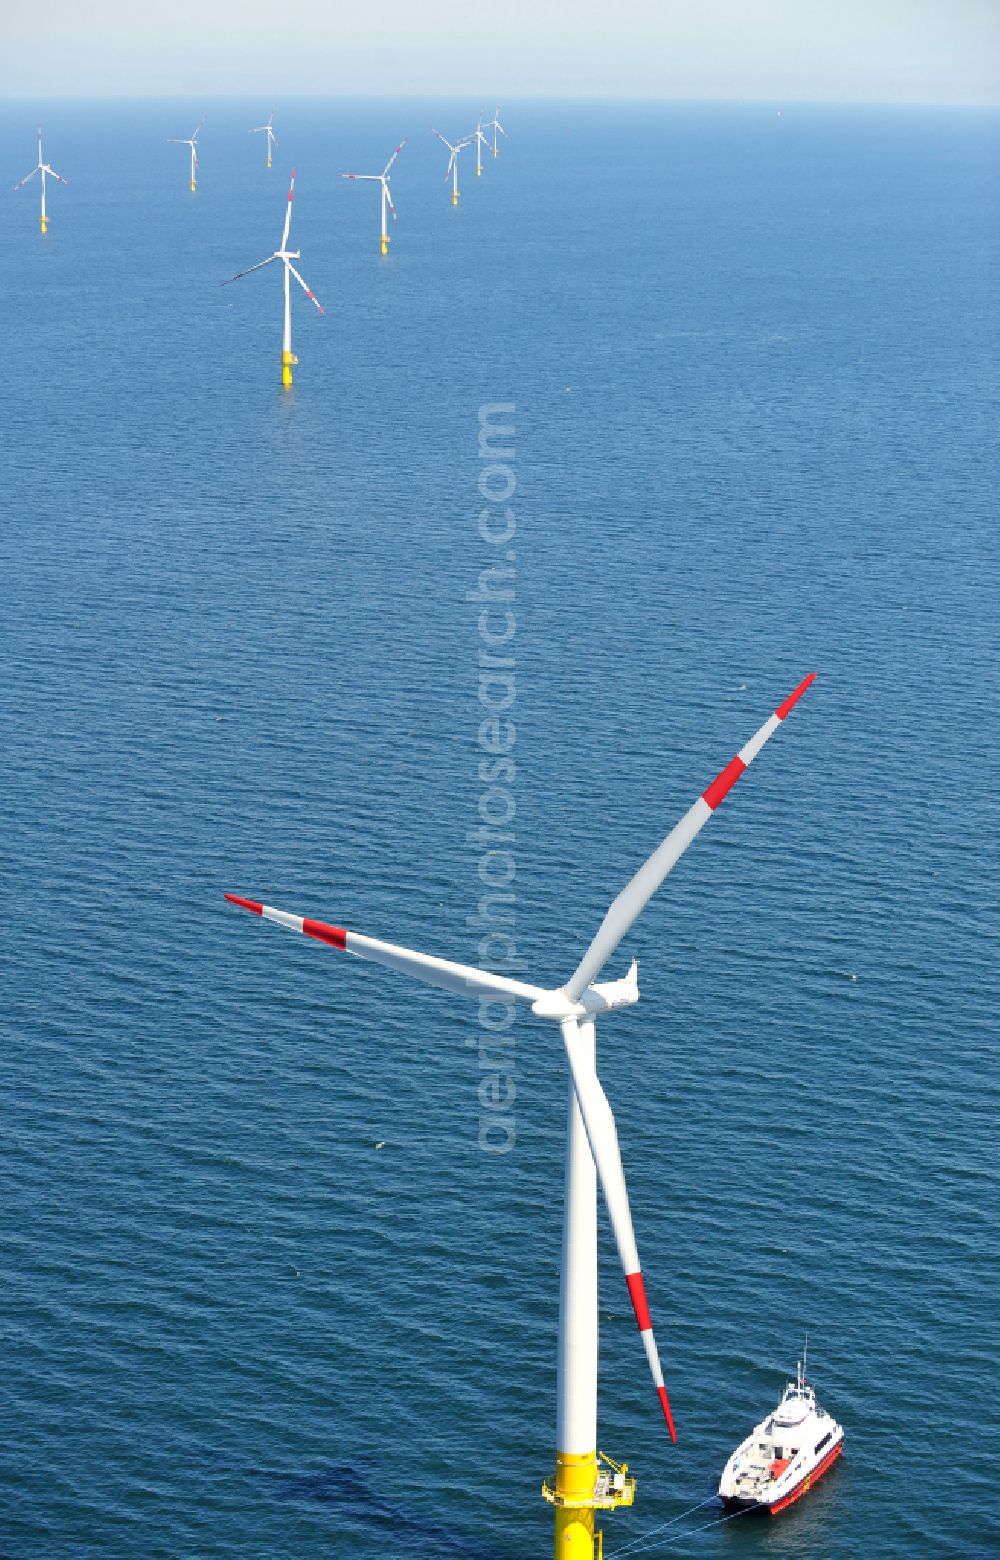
(581, 1487)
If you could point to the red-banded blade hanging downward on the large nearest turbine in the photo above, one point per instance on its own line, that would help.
(603, 1138)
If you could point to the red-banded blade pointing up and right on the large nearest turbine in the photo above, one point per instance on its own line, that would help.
(640, 888)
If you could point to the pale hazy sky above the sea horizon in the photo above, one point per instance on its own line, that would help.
(868, 51)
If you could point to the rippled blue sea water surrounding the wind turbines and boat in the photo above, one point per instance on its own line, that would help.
(753, 358)
